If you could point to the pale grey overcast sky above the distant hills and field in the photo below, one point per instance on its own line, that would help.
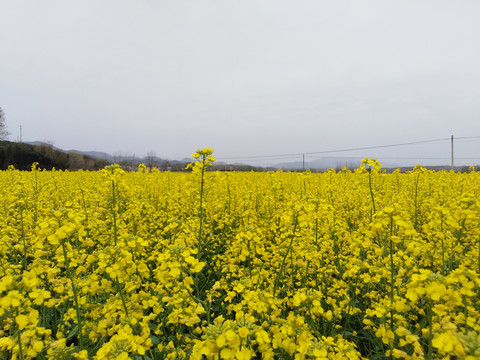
(246, 77)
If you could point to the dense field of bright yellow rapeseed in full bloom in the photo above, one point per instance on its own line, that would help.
(357, 264)
